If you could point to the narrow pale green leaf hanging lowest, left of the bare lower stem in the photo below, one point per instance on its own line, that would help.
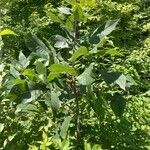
(64, 127)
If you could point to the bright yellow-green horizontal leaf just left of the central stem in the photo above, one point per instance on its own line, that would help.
(59, 68)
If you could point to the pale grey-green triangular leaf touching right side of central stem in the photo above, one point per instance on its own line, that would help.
(85, 78)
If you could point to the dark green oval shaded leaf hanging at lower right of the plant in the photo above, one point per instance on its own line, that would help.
(118, 104)
